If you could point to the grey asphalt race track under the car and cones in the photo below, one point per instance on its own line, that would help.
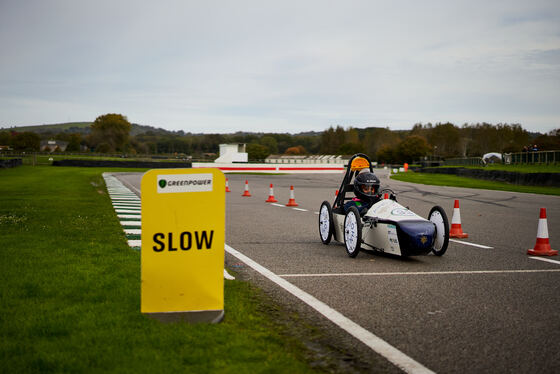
(489, 308)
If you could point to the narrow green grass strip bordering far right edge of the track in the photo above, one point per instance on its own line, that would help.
(457, 181)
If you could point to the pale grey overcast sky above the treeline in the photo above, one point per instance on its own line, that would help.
(280, 66)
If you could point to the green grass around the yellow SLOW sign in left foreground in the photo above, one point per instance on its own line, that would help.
(70, 293)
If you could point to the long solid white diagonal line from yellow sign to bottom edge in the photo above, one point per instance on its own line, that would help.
(377, 344)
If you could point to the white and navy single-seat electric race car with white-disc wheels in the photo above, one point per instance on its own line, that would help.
(385, 226)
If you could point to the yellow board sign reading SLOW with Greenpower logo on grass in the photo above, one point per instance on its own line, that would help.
(183, 234)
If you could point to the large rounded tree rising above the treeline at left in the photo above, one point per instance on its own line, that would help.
(112, 130)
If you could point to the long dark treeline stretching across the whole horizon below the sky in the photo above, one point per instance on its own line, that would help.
(112, 133)
